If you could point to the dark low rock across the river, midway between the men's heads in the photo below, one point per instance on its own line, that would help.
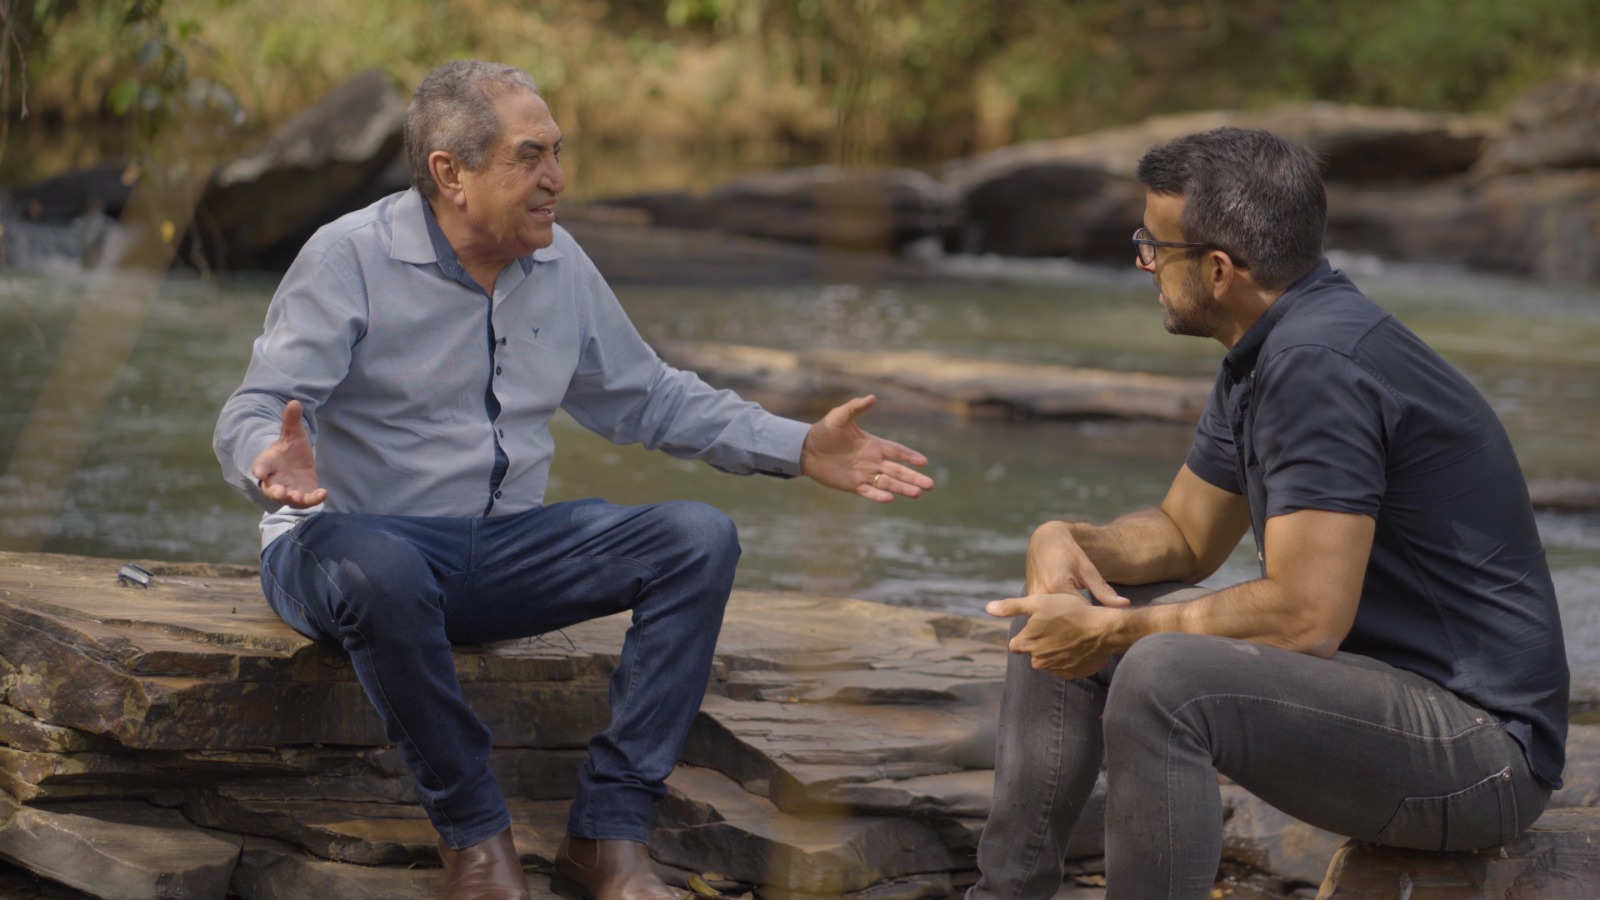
(857, 209)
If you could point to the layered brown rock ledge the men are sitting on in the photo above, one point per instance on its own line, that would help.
(182, 742)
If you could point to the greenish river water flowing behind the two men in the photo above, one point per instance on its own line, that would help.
(148, 486)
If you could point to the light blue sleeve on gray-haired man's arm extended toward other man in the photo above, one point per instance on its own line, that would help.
(626, 393)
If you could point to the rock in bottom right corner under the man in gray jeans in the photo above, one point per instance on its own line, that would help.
(1556, 861)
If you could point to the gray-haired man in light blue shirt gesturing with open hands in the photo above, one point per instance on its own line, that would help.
(394, 424)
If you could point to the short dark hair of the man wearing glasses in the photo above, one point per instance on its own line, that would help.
(1250, 193)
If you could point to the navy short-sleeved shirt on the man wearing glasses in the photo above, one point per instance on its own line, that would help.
(1329, 403)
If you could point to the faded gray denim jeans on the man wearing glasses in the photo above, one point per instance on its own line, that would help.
(1351, 745)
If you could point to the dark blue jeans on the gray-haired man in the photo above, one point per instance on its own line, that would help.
(398, 590)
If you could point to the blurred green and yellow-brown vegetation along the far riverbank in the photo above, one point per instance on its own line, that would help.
(820, 81)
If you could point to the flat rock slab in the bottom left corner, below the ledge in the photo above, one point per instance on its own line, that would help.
(119, 850)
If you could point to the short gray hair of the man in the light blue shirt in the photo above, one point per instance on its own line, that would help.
(454, 111)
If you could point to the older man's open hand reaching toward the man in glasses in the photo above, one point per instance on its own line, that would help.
(838, 454)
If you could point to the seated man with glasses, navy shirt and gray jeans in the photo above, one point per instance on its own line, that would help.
(1396, 673)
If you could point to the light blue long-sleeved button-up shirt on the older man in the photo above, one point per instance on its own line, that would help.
(401, 361)
